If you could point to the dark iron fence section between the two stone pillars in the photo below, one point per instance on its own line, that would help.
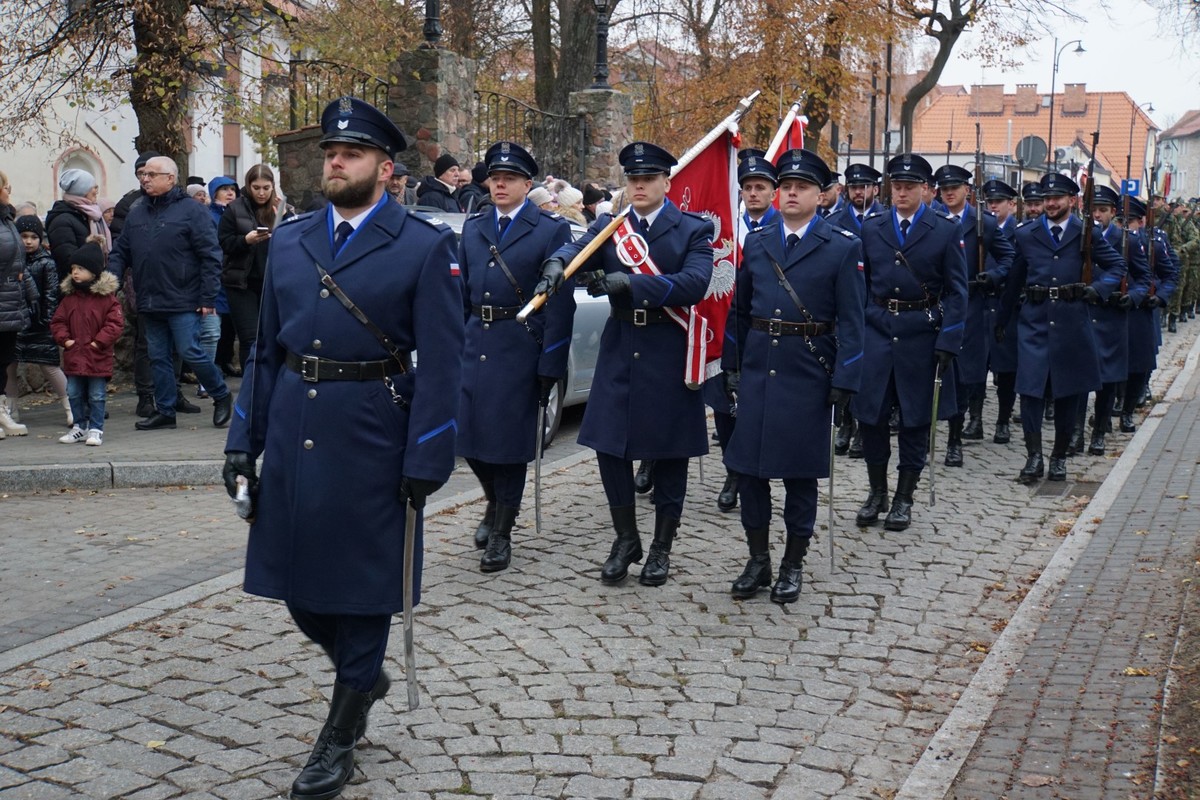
(559, 142)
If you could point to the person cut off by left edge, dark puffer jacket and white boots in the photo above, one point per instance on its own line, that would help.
(17, 299)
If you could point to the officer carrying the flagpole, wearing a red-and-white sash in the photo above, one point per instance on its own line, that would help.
(653, 269)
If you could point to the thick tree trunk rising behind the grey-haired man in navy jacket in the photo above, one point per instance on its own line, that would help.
(158, 91)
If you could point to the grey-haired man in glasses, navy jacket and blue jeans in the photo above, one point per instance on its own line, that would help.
(171, 248)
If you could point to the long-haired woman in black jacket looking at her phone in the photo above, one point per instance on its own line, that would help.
(245, 234)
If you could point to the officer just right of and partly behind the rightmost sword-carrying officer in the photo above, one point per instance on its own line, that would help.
(982, 282)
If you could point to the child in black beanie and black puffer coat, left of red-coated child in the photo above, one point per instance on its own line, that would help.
(35, 346)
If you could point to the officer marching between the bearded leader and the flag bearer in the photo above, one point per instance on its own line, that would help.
(508, 368)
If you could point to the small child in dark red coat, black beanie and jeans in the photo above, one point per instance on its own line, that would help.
(87, 324)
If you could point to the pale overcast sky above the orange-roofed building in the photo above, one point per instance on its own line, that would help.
(1125, 52)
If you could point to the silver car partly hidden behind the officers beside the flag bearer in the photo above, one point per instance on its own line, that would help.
(591, 315)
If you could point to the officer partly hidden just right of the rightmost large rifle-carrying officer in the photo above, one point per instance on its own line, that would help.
(1111, 322)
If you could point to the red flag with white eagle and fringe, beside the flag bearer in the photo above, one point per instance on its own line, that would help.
(709, 185)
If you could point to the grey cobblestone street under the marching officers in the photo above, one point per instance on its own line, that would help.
(541, 682)
